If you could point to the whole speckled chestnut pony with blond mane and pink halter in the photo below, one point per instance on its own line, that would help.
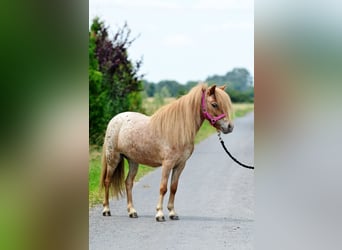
(164, 139)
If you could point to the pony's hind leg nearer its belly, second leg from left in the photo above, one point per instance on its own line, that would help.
(133, 169)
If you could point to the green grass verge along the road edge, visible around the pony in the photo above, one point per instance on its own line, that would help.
(95, 196)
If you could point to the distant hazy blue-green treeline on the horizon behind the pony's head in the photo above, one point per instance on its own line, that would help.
(239, 85)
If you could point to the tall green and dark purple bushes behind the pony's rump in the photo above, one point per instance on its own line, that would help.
(114, 83)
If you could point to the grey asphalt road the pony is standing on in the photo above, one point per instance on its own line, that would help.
(215, 203)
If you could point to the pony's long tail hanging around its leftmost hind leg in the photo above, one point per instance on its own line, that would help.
(117, 180)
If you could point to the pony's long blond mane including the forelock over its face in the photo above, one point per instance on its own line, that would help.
(179, 121)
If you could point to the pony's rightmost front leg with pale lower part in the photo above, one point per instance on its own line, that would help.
(176, 172)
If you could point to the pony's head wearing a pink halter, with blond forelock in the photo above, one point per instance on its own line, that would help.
(217, 108)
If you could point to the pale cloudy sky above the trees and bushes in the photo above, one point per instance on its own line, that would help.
(183, 40)
